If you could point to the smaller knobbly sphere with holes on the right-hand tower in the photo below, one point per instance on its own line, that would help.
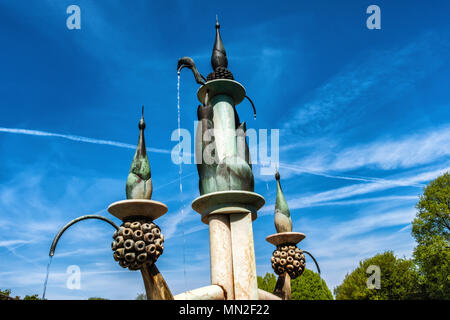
(288, 258)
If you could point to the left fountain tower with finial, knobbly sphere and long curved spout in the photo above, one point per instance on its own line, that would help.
(138, 242)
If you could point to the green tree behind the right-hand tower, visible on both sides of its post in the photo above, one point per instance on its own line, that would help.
(308, 286)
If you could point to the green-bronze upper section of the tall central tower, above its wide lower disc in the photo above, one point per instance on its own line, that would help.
(223, 162)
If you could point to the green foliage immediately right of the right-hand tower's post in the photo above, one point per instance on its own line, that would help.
(309, 286)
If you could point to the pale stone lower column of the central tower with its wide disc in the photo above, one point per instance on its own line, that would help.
(229, 215)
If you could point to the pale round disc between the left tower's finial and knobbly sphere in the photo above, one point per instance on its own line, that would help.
(137, 207)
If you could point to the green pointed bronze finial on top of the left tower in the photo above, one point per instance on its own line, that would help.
(139, 182)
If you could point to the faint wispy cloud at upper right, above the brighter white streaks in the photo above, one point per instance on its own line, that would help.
(392, 72)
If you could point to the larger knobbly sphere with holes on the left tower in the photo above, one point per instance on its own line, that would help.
(137, 242)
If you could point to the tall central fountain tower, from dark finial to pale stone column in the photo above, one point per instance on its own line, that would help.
(227, 202)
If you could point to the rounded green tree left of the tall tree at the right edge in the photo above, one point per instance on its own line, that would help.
(398, 280)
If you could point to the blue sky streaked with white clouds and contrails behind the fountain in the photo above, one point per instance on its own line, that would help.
(363, 118)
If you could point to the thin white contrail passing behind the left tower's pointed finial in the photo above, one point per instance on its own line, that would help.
(79, 139)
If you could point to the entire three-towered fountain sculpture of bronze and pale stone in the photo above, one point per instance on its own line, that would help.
(227, 202)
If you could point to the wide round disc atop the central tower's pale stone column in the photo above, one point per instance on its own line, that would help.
(228, 202)
